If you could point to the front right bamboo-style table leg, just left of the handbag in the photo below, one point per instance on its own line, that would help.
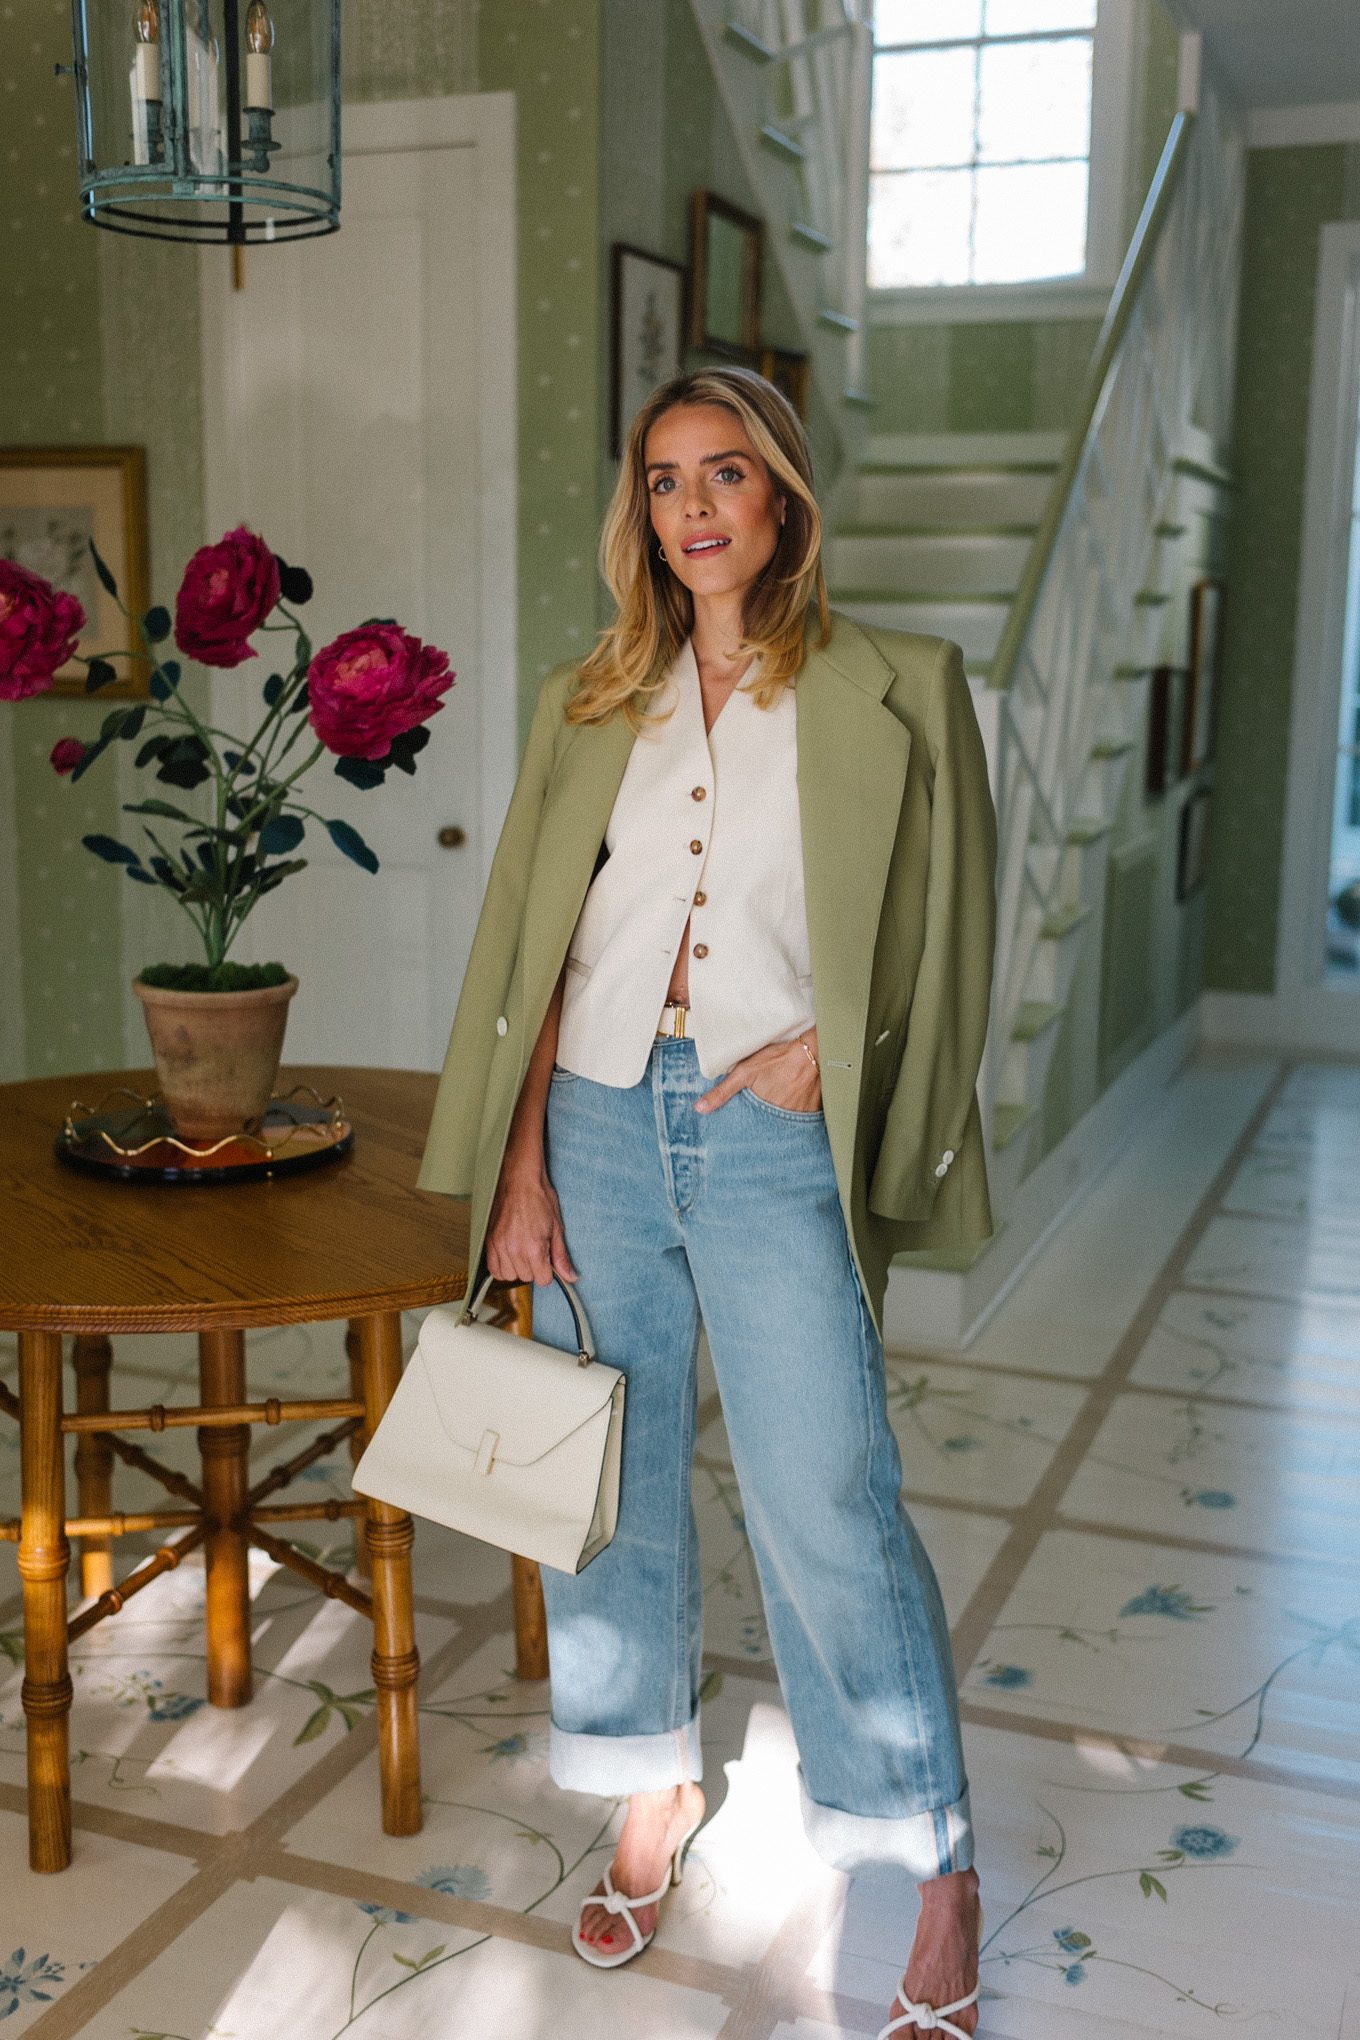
(390, 1537)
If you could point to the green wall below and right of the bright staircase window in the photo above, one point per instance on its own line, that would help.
(1012, 374)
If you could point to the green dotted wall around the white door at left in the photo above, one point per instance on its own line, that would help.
(99, 342)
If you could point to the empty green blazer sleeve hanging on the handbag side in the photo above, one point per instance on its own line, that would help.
(456, 1125)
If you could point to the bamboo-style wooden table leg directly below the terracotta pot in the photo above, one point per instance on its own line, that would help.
(221, 1380)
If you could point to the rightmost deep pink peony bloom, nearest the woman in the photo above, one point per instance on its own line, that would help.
(370, 686)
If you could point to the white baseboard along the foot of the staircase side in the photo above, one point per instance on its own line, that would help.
(945, 1313)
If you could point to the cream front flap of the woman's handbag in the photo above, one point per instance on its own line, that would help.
(486, 1380)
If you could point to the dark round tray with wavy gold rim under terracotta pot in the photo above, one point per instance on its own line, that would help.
(132, 1137)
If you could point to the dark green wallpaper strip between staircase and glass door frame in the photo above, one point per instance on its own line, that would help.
(1292, 195)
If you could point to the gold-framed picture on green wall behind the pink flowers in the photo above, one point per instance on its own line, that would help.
(52, 503)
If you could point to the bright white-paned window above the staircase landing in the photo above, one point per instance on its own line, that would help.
(982, 142)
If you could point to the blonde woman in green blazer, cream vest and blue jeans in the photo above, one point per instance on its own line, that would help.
(717, 1060)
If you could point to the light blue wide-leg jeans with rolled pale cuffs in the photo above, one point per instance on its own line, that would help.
(733, 1219)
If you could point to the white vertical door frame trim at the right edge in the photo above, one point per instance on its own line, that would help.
(1335, 401)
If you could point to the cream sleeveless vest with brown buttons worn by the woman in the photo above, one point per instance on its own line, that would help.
(707, 815)
